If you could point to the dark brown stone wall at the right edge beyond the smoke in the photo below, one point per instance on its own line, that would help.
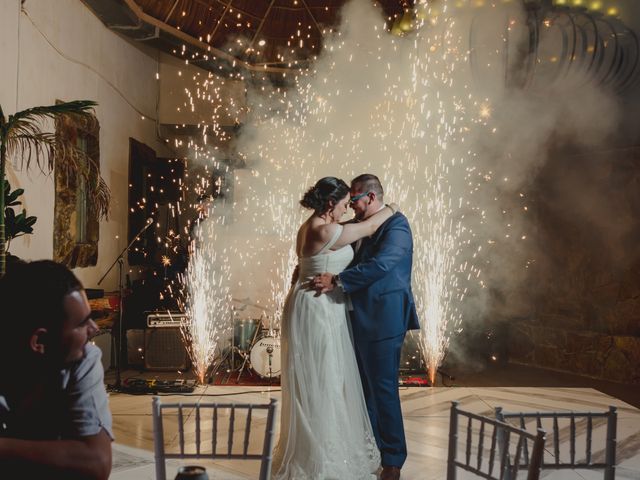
(584, 288)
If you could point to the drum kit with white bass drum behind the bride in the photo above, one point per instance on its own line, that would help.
(254, 347)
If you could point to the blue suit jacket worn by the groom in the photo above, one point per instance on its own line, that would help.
(379, 282)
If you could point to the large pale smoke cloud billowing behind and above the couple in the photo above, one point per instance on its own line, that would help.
(455, 143)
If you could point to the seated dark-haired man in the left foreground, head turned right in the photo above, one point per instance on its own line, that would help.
(54, 413)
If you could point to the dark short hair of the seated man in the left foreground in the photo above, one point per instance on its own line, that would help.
(32, 296)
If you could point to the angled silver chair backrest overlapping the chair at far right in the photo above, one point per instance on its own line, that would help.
(503, 443)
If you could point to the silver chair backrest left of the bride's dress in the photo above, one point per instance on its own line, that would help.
(203, 433)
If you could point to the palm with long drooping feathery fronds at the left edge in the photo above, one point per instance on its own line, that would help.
(24, 139)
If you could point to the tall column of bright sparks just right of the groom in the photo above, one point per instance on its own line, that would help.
(443, 238)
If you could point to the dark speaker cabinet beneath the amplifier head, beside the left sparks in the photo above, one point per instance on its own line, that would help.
(164, 349)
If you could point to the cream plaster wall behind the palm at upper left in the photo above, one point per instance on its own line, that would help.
(58, 50)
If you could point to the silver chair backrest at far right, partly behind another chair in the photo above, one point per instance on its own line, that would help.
(573, 431)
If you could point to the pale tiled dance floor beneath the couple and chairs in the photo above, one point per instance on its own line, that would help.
(426, 417)
